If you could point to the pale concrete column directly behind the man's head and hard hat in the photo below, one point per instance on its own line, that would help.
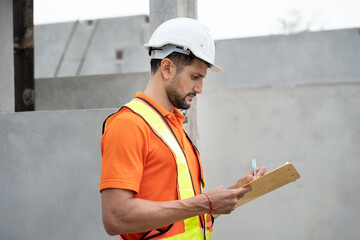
(161, 11)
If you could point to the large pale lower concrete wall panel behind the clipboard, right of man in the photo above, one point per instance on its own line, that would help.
(316, 127)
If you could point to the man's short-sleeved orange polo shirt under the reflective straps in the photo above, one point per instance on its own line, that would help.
(134, 158)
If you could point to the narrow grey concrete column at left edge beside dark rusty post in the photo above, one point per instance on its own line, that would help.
(7, 95)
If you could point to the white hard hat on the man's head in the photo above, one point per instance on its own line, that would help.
(183, 35)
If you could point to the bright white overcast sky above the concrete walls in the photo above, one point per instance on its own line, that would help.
(224, 18)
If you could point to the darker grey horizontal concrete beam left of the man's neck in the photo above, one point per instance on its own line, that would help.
(83, 92)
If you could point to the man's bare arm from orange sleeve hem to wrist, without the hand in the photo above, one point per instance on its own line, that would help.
(134, 215)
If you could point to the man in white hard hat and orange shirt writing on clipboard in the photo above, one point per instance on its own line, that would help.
(152, 178)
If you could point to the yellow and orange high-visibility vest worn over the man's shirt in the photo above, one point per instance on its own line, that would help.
(197, 227)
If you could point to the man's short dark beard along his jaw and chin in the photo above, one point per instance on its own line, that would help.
(173, 92)
